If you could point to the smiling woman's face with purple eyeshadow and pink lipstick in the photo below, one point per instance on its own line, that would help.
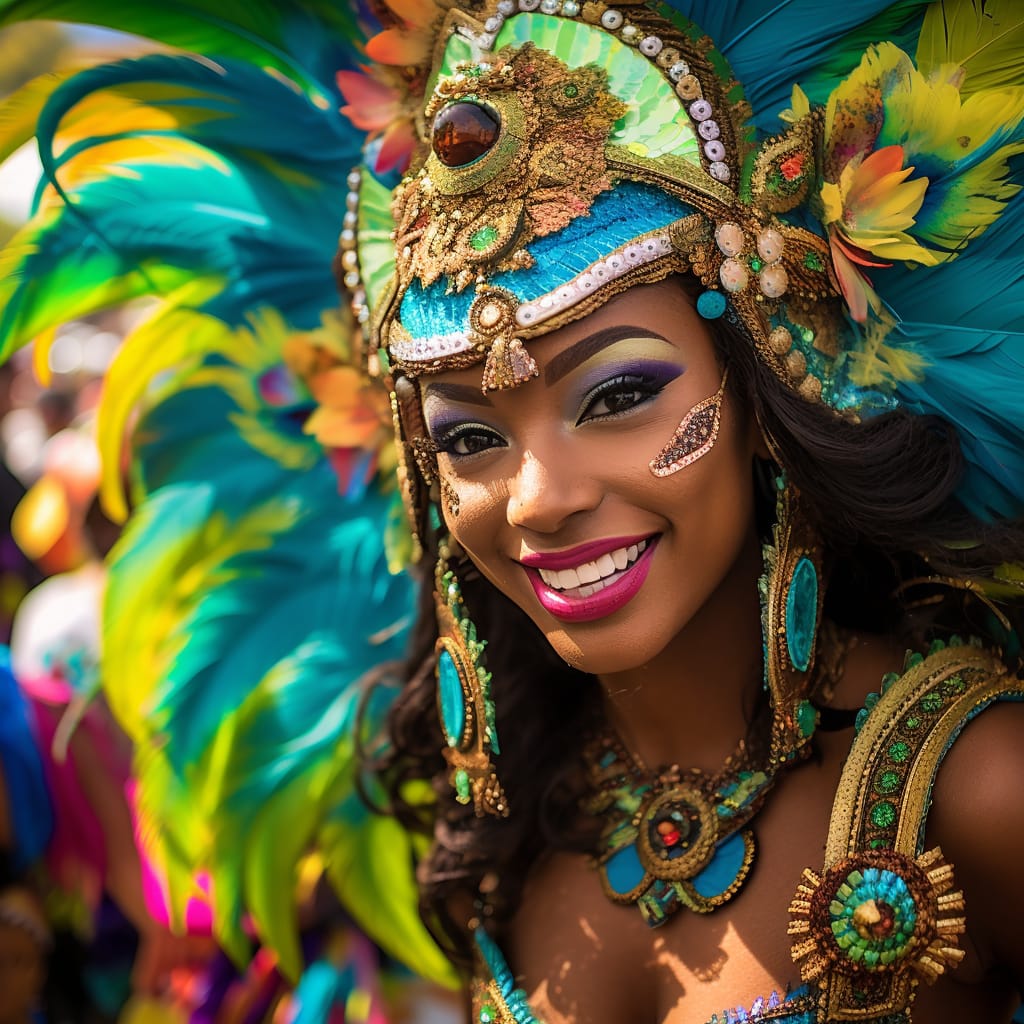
(548, 487)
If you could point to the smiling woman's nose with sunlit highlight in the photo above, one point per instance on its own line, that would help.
(547, 492)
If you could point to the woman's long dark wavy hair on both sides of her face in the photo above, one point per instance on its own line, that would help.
(882, 494)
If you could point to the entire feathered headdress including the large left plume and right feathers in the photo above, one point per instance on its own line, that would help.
(869, 243)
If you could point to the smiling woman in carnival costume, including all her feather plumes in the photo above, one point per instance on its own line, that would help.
(699, 326)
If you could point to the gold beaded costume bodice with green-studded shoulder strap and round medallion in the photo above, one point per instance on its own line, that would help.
(875, 858)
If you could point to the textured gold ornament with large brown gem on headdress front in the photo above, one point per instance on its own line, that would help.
(517, 153)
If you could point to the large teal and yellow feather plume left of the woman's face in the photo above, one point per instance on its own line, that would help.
(247, 596)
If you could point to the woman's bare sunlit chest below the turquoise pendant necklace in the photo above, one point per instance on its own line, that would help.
(582, 958)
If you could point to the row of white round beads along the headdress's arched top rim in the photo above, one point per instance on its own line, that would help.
(668, 61)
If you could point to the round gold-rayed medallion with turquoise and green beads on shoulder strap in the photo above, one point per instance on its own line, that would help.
(873, 927)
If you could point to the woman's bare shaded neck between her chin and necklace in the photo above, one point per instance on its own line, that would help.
(693, 703)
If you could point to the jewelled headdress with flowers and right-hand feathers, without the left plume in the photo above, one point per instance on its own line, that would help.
(851, 204)
